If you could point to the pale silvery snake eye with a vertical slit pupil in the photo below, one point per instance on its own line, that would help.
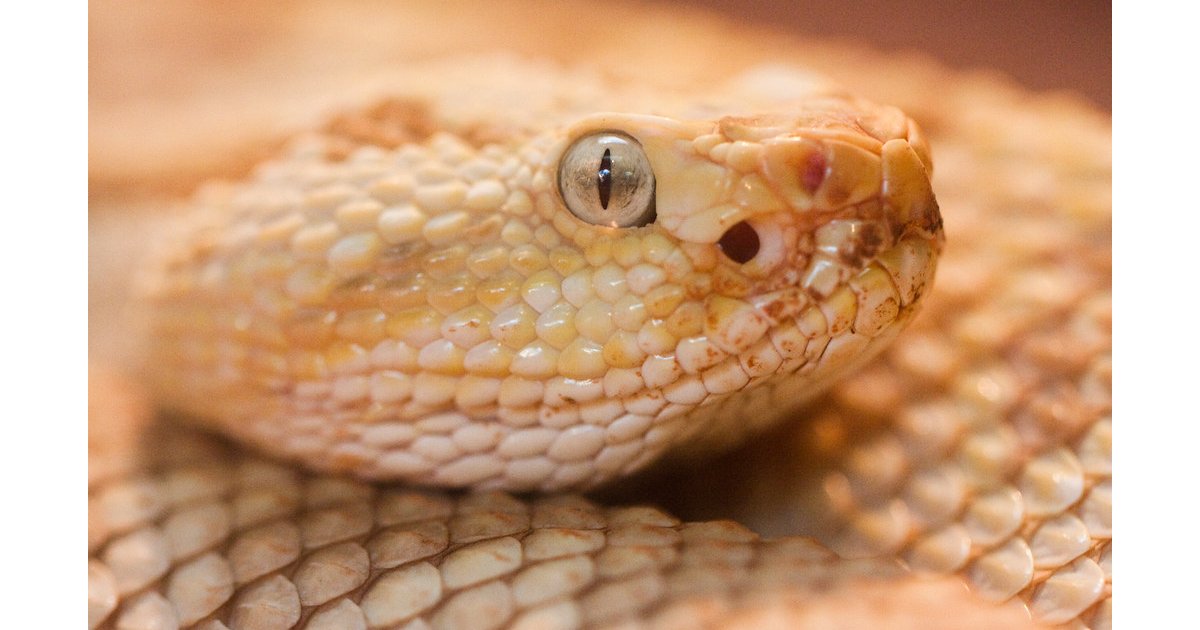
(607, 181)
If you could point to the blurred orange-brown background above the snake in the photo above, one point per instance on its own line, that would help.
(179, 89)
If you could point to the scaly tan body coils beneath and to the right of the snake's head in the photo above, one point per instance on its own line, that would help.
(1000, 393)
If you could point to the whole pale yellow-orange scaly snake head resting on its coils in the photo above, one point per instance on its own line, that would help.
(545, 302)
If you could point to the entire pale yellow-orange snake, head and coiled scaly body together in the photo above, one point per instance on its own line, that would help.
(392, 357)
